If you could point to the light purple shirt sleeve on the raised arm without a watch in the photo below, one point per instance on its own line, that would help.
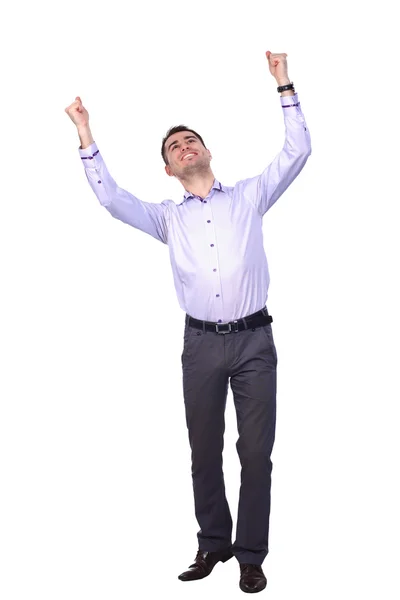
(148, 217)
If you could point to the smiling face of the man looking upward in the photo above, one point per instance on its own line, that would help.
(186, 155)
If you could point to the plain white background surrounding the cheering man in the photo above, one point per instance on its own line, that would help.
(96, 497)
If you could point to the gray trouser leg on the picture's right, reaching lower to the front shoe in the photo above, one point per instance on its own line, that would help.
(253, 382)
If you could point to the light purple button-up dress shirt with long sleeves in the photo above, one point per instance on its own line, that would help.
(216, 244)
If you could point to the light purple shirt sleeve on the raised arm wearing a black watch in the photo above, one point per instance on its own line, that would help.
(265, 189)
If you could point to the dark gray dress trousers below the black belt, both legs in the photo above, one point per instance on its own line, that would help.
(248, 359)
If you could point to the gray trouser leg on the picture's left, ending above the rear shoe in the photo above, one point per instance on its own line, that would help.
(205, 386)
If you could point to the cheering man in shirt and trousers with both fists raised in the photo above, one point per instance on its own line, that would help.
(221, 279)
